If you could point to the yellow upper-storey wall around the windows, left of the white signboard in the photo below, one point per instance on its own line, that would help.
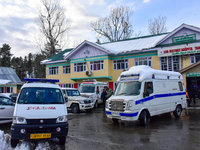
(108, 68)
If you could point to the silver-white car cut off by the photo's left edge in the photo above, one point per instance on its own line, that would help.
(6, 109)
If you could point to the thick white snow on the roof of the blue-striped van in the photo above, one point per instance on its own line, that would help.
(146, 72)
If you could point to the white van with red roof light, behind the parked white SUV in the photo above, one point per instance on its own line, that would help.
(93, 89)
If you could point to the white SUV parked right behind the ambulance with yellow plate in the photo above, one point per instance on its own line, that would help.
(77, 102)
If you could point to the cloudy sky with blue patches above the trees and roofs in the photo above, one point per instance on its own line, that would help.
(18, 19)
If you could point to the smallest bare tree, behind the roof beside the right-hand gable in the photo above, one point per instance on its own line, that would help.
(158, 25)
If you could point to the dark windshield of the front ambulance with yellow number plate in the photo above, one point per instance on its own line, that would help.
(40, 96)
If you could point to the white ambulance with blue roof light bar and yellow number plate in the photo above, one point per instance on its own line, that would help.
(40, 112)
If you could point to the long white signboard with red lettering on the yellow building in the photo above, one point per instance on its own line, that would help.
(179, 50)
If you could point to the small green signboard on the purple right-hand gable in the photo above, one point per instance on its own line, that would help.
(183, 38)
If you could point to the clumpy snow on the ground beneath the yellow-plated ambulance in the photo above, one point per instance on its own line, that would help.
(25, 145)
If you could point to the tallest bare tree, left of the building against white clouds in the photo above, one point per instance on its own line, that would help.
(53, 25)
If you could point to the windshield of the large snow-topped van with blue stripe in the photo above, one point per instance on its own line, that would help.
(128, 88)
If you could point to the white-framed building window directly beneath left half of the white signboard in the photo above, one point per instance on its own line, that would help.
(170, 63)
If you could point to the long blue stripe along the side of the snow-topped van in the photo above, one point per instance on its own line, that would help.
(158, 96)
